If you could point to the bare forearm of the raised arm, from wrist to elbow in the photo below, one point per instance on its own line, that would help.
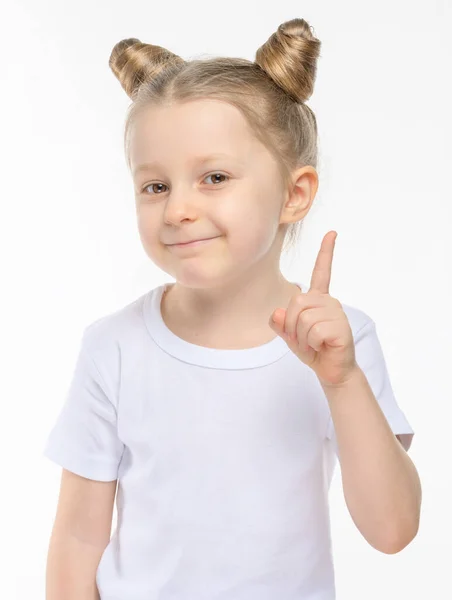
(381, 485)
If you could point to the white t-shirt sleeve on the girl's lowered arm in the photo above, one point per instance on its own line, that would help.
(84, 438)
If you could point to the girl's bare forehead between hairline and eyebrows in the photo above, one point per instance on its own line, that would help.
(196, 128)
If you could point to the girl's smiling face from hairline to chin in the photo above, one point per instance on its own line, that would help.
(198, 173)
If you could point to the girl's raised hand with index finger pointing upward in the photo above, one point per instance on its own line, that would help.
(316, 327)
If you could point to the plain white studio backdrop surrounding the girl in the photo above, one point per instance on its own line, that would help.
(70, 249)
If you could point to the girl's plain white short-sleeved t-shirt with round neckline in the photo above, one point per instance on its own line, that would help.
(223, 458)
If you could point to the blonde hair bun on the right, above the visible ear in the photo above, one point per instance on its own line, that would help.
(289, 57)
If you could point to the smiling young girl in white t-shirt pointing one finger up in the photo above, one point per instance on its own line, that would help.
(219, 425)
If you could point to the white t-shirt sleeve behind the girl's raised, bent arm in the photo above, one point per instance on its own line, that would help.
(370, 358)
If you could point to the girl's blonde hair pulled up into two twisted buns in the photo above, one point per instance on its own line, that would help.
(270, 92)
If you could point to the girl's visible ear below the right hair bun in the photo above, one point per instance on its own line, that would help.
(299, 198)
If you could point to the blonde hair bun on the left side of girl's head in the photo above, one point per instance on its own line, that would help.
(134, 62)
